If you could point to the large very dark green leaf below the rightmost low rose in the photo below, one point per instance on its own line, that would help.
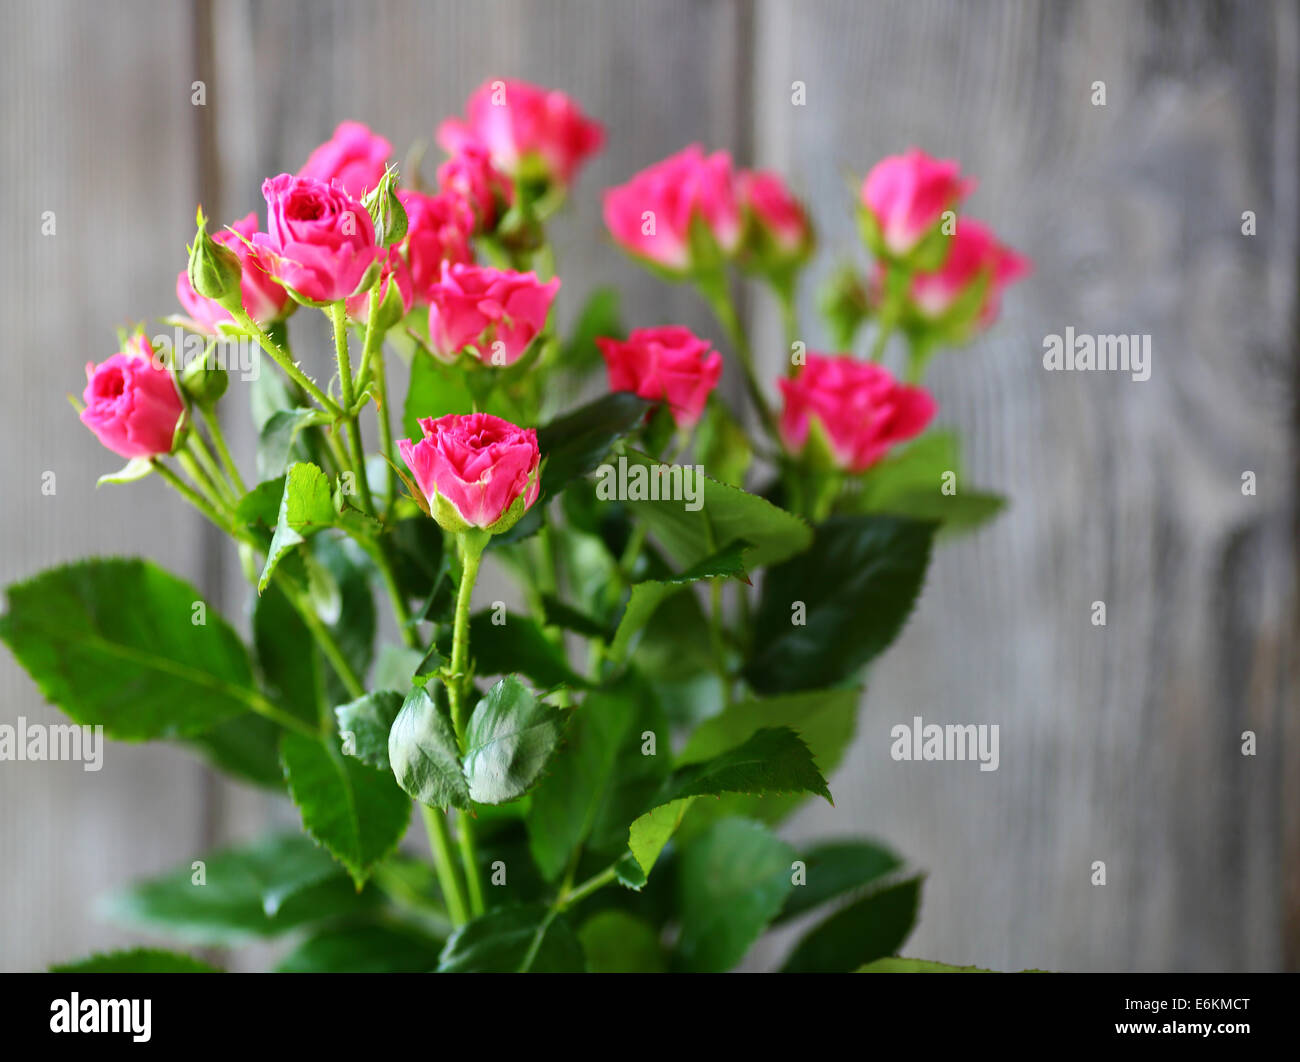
(857, 586)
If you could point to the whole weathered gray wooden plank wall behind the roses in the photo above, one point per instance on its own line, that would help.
(1119, 744)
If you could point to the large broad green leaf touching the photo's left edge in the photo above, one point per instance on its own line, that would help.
(115, 643)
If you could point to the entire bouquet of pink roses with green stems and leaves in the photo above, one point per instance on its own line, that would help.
(603, 769)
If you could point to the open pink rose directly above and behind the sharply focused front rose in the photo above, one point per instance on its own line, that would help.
(479, 309)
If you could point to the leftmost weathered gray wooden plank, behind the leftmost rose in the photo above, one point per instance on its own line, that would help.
(96, 118)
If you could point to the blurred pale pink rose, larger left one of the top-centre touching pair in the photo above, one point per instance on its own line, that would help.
(652, 215)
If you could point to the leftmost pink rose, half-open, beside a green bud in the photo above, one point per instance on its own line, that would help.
(132, 402)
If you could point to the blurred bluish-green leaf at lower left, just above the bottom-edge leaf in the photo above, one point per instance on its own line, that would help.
(255, 891)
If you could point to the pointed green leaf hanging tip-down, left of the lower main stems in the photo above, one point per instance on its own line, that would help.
(352, 809)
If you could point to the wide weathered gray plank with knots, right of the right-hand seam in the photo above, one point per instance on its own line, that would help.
(1119, 744)
